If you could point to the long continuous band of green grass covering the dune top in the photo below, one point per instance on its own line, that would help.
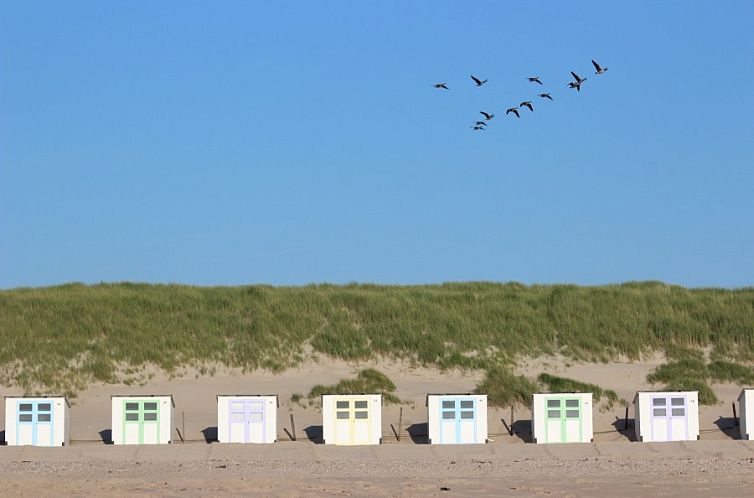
(61, 338)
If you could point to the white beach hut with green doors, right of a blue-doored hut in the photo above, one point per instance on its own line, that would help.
(562, 418)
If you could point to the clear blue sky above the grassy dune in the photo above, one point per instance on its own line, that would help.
(235, 142)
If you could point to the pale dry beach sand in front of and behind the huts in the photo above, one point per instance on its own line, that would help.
(718, 465)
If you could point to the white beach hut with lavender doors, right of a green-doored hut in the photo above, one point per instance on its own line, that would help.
(666, 416)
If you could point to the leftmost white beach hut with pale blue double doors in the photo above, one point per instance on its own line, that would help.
(36, 420)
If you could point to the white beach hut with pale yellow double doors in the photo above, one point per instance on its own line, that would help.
(352, 419)
